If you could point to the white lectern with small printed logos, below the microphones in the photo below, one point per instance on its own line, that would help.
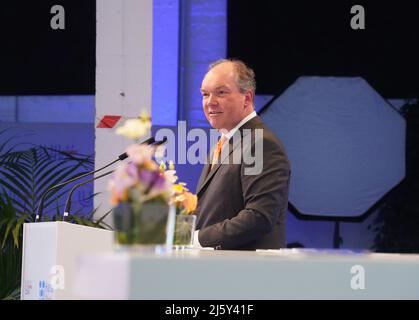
(49, 254)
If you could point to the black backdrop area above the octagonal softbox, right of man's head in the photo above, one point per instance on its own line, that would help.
(283, 40)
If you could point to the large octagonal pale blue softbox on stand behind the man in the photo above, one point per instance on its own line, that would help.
(346, 144)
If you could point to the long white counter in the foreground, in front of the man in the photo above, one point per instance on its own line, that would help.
(248, 275)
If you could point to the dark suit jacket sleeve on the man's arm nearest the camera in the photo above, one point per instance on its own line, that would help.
(265, 197)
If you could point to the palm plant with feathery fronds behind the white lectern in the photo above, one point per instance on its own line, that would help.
(24, 176)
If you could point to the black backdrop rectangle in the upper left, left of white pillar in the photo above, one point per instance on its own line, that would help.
(35, 59)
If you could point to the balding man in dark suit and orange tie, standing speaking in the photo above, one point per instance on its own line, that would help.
(241, 205)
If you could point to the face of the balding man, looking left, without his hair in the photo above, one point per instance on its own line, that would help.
(224, 105)
